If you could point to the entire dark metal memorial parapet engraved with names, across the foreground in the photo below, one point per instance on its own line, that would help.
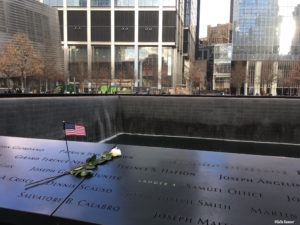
(150, 185)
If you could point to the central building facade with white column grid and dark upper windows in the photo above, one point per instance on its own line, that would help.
(127, 43)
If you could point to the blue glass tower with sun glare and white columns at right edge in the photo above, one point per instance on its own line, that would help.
(265, 45)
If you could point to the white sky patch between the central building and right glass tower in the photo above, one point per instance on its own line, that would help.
(213, 12)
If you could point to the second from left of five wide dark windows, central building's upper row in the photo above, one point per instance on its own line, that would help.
(100, 21)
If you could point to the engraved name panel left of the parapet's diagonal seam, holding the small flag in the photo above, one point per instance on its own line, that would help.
(26, 160)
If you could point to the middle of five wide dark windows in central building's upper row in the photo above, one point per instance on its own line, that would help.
(124, 26)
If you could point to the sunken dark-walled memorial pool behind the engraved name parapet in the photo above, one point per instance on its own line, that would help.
(266, 126)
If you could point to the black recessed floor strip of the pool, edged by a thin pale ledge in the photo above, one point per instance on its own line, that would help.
(208, 144)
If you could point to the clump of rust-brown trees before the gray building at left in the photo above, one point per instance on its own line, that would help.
(18, 58)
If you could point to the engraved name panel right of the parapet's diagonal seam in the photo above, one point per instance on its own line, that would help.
(169, 186)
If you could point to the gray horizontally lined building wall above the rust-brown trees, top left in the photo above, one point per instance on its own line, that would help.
(38, 21)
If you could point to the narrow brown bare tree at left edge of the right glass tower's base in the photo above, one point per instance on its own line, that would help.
(238, 75)
